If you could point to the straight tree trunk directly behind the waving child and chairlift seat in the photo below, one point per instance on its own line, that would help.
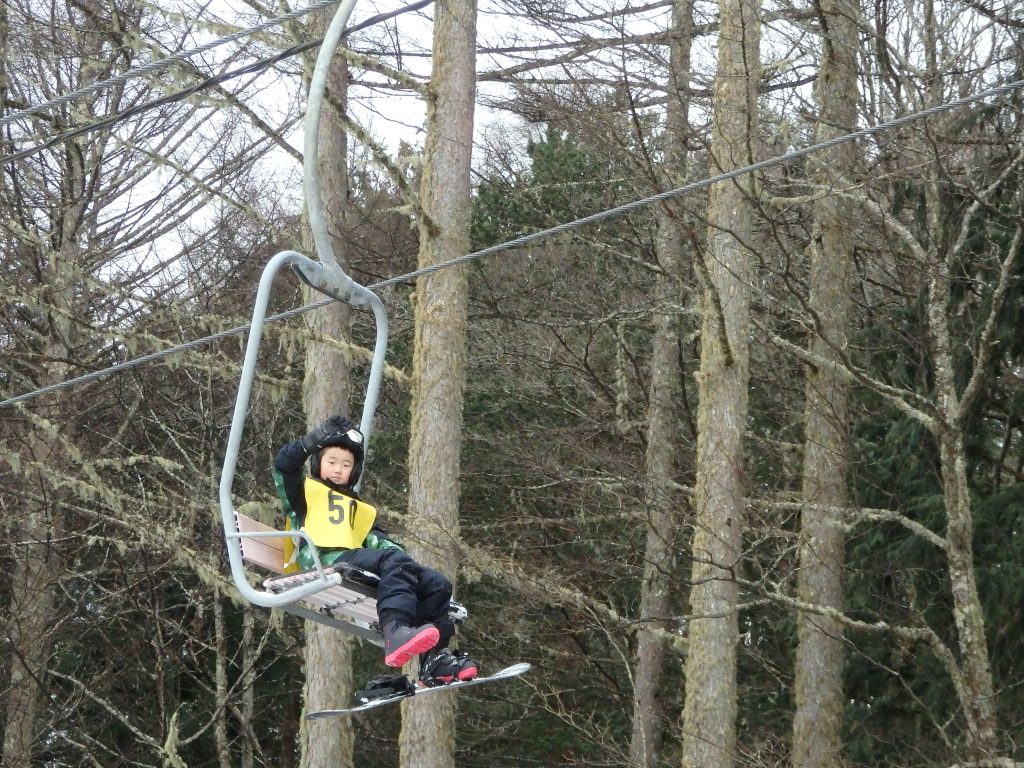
(327, 393)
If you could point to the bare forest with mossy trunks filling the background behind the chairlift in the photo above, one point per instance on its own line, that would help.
(741, 474)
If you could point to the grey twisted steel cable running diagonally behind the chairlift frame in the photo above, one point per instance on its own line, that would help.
(889, 125)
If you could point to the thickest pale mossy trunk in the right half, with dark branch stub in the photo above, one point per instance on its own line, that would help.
(710, 710)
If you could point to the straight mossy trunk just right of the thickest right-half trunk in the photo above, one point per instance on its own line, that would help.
(819, 675)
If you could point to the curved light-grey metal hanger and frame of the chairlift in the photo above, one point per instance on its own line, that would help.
(328, 278)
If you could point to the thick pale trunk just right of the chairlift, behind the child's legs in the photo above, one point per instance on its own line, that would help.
(440, 355)
